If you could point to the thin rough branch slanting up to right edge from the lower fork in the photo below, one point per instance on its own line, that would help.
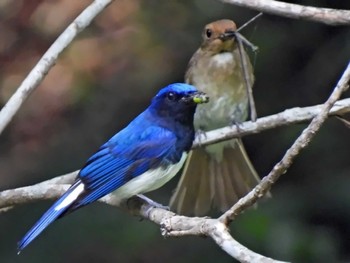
(301, 142)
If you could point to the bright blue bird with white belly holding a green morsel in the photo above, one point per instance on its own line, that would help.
(140, 158)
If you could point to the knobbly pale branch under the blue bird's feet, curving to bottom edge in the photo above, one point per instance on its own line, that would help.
(171, 224)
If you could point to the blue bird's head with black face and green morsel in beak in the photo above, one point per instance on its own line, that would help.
(178, 101)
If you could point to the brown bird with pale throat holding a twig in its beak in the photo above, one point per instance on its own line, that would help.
(216, 176)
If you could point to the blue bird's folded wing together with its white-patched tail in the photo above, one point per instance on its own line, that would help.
(122, 158)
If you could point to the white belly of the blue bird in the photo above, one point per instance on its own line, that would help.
(149, 180)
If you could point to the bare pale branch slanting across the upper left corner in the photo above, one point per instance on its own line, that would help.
(38, 73)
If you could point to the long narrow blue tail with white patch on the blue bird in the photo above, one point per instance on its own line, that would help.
(56, 210)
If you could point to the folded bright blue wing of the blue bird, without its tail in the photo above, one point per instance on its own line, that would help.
(116, 163)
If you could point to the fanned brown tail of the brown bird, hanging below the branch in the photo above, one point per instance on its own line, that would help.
(214, 180)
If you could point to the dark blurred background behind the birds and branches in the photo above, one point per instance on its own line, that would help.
(108, 75)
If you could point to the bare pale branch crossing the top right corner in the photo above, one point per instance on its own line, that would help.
(328, 16)
